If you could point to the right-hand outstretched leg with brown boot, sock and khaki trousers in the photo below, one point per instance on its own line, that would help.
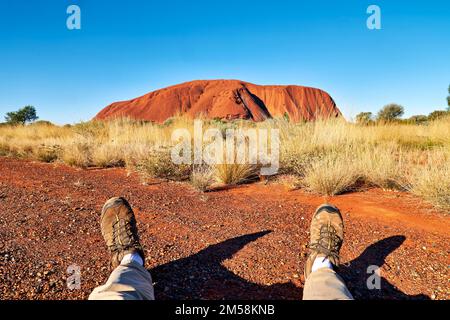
(326, 237)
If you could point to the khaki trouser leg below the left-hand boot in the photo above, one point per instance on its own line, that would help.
(126, 282)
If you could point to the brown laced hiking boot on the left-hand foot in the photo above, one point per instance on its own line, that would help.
(119, 230)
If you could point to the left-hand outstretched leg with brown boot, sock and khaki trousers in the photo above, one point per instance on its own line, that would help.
(129, 279)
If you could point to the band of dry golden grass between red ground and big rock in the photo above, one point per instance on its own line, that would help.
(327, 157)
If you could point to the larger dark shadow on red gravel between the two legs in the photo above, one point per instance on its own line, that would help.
(202, 276)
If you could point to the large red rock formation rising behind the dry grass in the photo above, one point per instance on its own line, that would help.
(226, 99)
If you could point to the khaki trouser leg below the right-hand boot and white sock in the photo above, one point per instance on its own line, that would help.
(325, 284)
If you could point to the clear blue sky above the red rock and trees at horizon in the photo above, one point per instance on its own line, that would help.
(128, 48)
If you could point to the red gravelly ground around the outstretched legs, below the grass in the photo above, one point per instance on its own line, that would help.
(243, 243)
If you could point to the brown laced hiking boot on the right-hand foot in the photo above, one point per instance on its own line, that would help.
(326, 236)
